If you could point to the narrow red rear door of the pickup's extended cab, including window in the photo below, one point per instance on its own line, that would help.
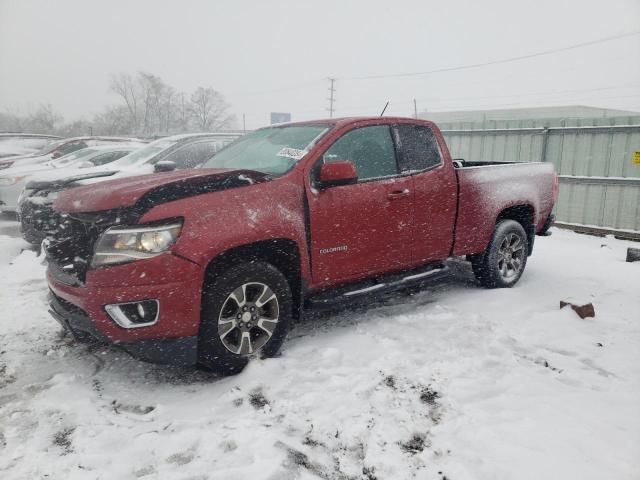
(435, 192)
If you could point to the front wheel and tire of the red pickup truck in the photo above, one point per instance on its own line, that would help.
(234, 329)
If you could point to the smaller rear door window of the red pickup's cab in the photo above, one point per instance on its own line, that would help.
(419, 148)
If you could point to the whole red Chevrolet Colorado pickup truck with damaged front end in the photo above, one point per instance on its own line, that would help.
(212, 266)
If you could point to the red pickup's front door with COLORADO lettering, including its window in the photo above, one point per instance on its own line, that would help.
(361, 229)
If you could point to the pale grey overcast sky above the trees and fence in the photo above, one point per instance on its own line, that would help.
(276, 55)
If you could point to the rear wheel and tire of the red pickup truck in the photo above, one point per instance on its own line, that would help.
(501, 265)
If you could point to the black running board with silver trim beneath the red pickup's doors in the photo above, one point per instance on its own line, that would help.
(377, 287)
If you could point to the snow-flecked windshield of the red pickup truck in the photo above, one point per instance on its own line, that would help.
(272, 150)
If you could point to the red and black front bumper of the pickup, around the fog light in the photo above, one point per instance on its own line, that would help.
(80, 308)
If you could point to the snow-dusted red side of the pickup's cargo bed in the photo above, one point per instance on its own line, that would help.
(487, 188)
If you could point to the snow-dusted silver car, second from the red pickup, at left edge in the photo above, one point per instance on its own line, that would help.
(13, 180)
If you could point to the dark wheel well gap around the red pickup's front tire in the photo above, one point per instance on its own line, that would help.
(282, 253)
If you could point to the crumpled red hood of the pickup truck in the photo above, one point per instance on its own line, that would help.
(154, 189)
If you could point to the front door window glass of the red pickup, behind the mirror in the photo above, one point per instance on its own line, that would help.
(369, 148)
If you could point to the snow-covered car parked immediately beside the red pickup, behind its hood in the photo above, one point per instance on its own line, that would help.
(176, 152)
